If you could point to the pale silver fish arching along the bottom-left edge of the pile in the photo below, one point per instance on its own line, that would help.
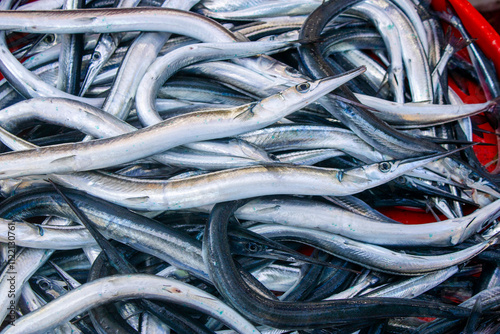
(118, 287)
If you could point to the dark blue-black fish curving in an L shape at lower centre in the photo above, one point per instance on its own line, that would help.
(291, 315)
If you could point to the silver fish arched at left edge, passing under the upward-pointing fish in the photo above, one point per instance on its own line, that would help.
(92, 121)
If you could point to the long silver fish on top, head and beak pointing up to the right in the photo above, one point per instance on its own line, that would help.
(170, 133)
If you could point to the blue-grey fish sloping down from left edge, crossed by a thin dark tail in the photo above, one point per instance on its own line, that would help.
(118, 223)
